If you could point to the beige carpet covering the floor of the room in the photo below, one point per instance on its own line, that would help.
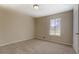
(36, 46)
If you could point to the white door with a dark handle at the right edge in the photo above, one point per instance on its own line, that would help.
(76, 28)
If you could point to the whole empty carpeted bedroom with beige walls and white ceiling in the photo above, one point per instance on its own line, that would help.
(39, 29)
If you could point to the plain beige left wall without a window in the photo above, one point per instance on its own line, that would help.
(15, 26)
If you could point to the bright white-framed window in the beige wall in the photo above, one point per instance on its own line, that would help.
(55, 25)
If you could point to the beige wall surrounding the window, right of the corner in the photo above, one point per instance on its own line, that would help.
(43, 26)
